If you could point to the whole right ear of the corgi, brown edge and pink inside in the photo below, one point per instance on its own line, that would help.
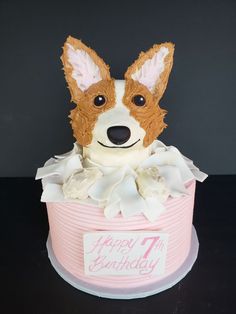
(152, 68)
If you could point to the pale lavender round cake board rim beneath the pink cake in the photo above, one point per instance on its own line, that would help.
(134, 293)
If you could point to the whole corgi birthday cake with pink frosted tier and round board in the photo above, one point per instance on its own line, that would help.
(120, 203)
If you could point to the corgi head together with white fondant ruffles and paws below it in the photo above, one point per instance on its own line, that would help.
(117, 160)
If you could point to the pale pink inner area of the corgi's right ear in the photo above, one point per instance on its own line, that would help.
(150, 72)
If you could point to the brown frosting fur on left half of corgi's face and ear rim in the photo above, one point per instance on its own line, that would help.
(84, 116)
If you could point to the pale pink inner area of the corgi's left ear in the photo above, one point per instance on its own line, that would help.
(85, 71)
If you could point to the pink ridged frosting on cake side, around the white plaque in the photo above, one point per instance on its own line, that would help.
(68, 222)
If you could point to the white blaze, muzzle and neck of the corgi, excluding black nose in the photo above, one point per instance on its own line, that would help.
(118, 115)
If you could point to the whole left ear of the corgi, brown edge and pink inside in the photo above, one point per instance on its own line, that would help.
(82, 67)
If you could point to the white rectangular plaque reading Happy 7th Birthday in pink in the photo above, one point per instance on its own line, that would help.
(125, 253)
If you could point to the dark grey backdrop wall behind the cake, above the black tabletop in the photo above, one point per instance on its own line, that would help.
(200, 97)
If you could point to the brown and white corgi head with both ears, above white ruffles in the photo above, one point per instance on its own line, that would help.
(116, 121)
